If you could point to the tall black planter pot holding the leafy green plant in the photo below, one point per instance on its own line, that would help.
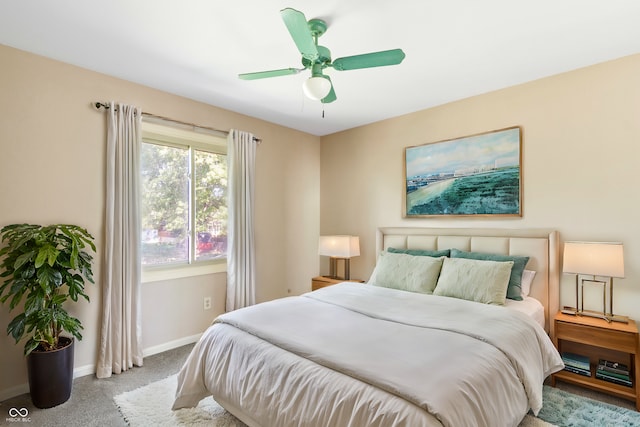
(51, 375)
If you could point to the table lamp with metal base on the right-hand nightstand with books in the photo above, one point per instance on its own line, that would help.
(596, 259)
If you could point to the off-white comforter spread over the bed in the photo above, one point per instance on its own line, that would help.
(393, 358)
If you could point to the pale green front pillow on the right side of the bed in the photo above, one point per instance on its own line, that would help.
(474, 280)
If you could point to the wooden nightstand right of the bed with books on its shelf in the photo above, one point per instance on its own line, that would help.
(597, 339)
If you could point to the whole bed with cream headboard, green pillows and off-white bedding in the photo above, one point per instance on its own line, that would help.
(377, 355)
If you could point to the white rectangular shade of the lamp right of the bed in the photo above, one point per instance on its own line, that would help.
(594, 258)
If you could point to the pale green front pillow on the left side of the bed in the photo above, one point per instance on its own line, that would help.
(406, 272)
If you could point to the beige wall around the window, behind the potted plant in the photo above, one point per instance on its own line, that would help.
(52, 145)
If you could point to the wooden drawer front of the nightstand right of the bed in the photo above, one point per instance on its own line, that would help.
(616, 340)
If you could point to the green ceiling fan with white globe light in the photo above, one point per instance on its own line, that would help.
(316, 58)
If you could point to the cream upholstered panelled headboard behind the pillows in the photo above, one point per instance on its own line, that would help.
(542, 247)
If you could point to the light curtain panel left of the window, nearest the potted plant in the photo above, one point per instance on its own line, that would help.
(120, 340)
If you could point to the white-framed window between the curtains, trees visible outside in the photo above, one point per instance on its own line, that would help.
(183, 197)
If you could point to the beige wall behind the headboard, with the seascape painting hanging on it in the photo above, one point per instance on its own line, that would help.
(581, 155)
